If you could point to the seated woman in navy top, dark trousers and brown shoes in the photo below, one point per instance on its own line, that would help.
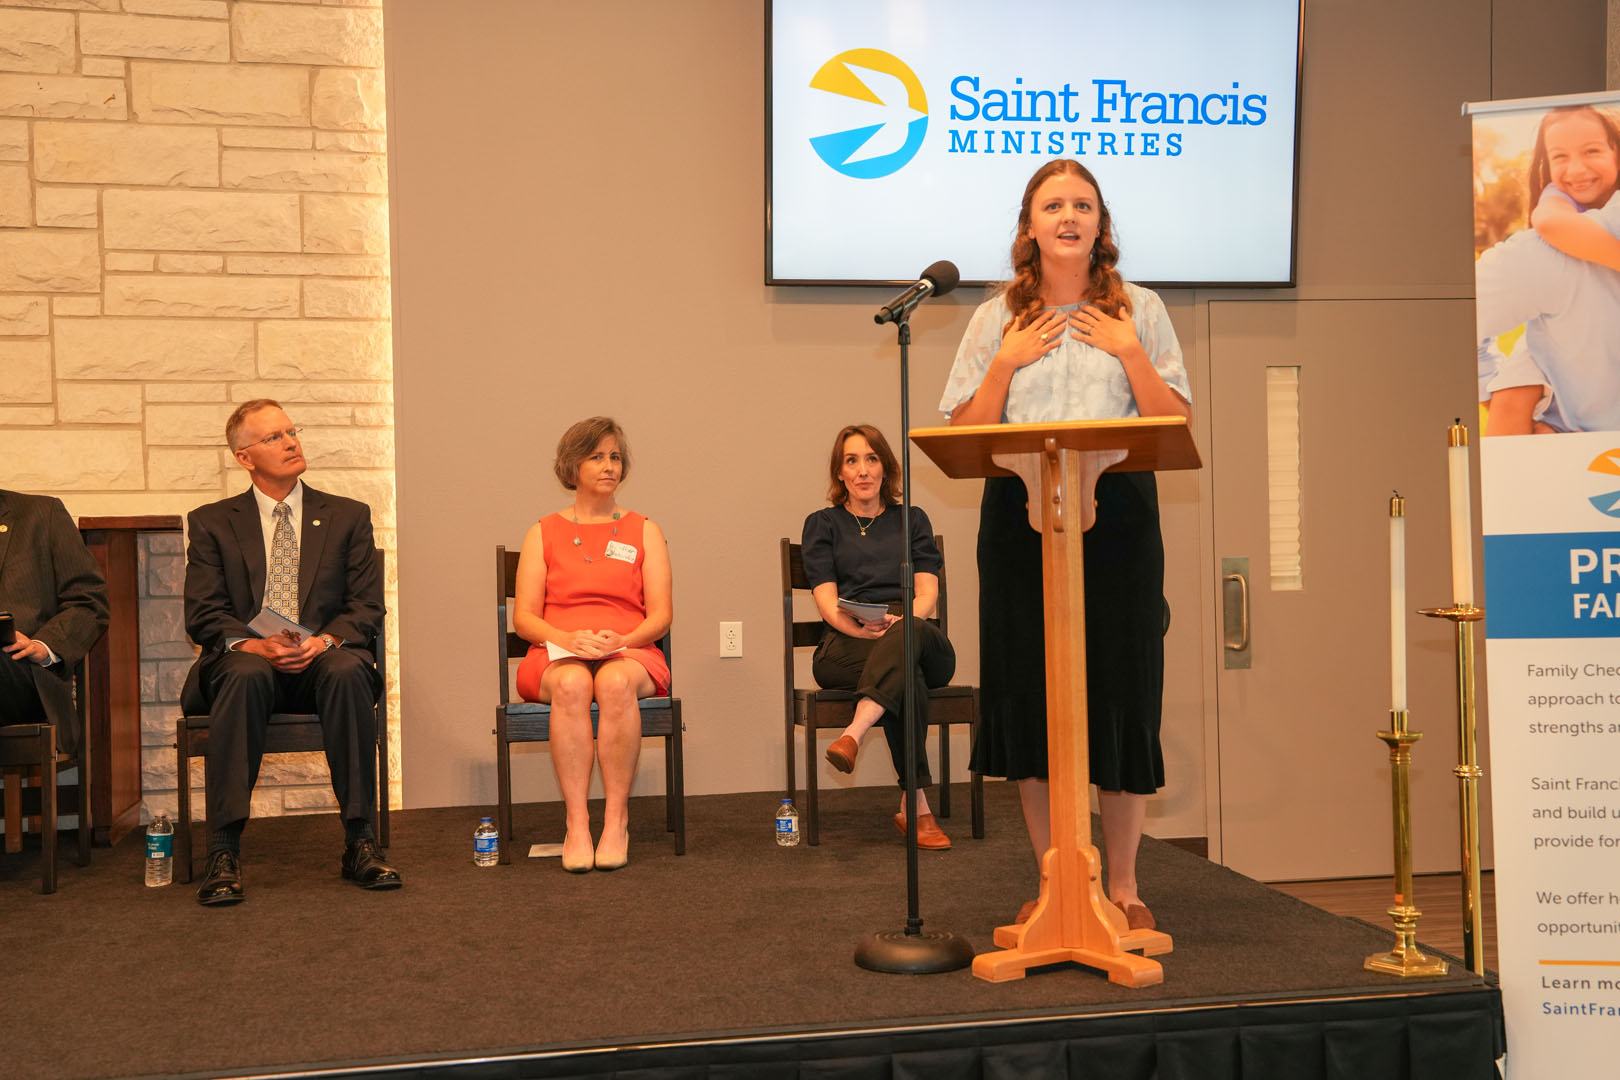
(853, 561)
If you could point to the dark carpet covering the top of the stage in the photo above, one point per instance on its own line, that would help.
(113, 979)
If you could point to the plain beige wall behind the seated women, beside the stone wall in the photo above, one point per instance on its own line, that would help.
(730, 391)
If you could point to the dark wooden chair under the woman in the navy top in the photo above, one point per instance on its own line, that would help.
(814, 710)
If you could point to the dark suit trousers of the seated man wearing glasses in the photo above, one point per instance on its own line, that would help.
(339, 686)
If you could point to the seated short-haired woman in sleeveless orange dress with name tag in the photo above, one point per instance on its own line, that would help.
(594, 598)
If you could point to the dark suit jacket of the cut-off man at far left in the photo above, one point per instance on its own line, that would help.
(56, 592)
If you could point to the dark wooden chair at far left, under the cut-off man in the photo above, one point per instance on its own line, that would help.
(30, 749)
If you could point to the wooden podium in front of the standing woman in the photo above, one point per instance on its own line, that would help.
(1073, 919)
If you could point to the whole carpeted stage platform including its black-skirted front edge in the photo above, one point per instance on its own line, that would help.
(733, 961)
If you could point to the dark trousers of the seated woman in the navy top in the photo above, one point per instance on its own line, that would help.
(872, 668)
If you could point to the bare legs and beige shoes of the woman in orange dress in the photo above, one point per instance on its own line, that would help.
(615, 686)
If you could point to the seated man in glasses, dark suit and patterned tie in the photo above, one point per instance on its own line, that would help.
(309, 558)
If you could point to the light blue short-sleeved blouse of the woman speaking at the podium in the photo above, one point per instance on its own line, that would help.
(1075, 381)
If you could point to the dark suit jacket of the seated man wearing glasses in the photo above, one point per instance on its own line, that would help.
(339, 580)
